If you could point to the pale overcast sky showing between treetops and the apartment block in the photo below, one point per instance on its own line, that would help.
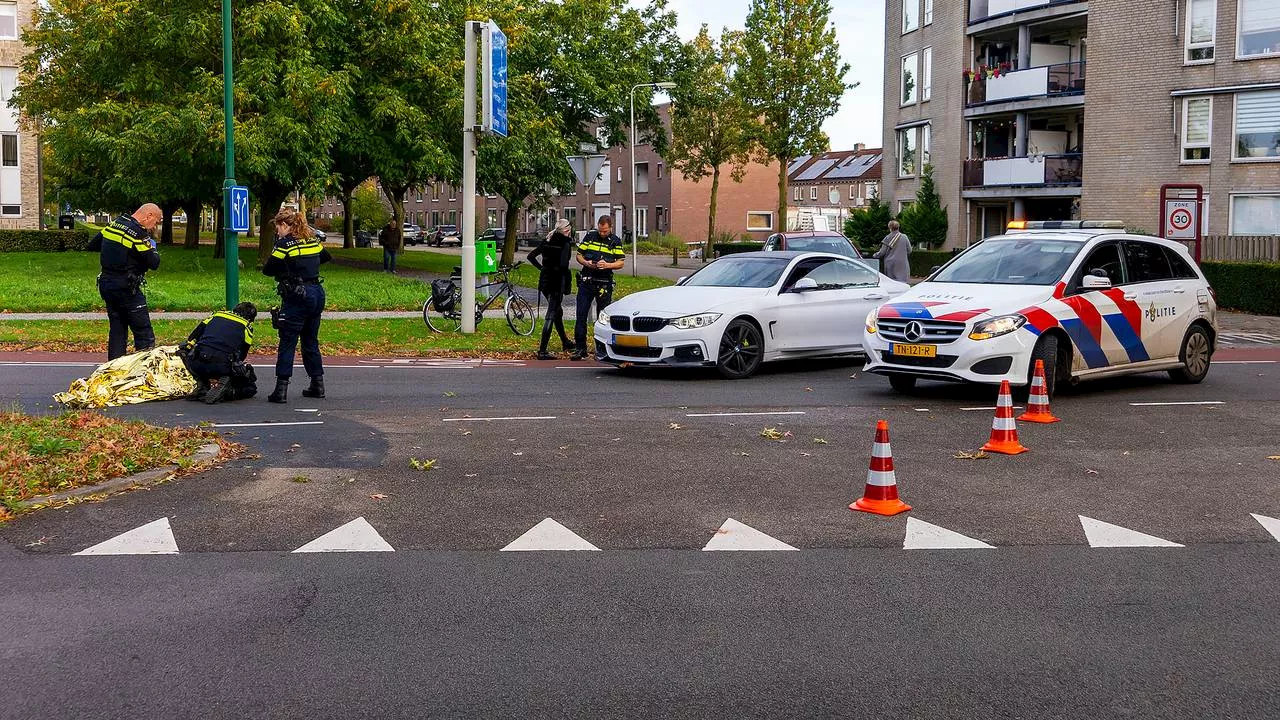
(861, 30)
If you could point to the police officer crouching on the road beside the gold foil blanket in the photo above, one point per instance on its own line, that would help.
(216, 353)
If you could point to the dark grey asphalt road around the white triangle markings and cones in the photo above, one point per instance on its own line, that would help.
(851, 626)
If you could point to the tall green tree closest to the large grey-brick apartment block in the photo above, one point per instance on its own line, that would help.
(793, 80)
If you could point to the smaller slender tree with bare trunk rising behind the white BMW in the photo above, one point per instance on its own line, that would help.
(710, 122)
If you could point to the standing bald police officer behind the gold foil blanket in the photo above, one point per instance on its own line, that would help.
(127, 252)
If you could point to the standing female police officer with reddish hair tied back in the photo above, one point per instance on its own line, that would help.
(295, 263)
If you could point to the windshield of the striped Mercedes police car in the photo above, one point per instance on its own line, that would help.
(1014, 261)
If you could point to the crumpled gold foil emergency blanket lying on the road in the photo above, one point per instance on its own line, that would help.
(152, 375)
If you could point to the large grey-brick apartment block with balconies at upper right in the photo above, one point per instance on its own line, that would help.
(1180, 92)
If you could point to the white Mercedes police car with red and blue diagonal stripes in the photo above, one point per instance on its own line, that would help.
(1086, 298)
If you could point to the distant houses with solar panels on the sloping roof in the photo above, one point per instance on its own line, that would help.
(833, 185)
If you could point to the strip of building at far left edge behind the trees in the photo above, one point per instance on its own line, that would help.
(20, 152)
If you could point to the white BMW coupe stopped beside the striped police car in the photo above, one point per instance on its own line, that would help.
(748, 309)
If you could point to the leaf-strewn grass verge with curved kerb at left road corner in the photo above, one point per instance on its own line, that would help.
(43, 455)
